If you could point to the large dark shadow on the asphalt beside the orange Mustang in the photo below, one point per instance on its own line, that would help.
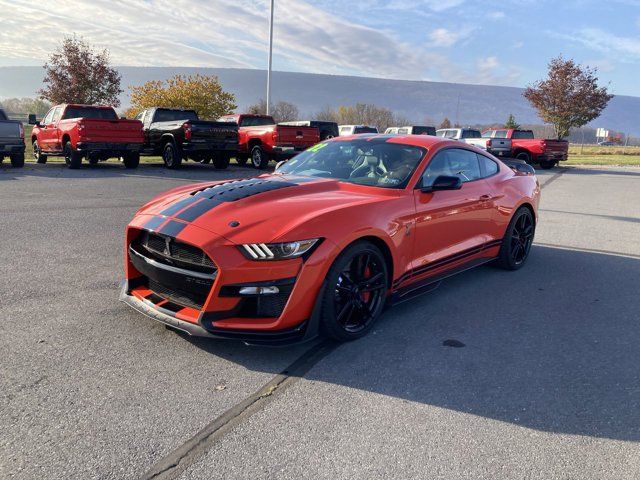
(552, 347)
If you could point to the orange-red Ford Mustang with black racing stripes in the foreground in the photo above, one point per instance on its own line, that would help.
(322, 244)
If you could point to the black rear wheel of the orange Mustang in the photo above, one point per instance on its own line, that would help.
(517, 241)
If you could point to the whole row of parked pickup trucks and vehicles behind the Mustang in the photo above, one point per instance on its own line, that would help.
(96, 133)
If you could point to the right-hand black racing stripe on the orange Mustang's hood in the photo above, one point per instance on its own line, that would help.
(210, 197)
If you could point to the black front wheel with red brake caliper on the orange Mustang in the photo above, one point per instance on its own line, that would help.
(354, 292)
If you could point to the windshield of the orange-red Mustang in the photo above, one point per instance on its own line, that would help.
(376, 162)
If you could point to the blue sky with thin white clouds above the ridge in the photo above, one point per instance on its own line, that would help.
(507, 42)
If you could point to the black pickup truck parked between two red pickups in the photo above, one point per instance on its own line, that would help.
(178, 134)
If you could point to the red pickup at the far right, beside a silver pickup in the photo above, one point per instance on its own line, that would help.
(525, 146)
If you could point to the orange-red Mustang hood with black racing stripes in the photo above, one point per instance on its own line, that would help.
(261, 209)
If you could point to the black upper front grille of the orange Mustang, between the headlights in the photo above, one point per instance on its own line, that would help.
(175, 253)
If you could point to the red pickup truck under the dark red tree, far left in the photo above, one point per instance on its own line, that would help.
(94, 132)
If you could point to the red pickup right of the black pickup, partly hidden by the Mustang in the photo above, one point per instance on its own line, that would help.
(261, 139)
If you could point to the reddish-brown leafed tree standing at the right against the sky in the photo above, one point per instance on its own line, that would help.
(569, 96)
